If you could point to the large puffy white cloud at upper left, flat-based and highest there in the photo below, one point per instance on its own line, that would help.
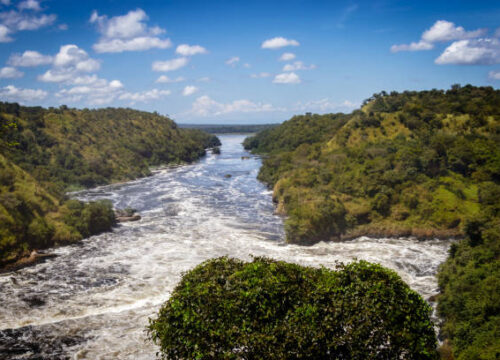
(127, 32)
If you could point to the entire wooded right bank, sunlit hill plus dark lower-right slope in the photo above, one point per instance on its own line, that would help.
(425, 164)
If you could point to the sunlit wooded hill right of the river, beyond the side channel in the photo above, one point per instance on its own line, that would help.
(411, 163)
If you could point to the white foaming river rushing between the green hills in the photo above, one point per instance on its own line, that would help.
(93, 300)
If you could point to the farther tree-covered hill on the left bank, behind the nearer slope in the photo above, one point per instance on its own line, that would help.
(82, 148)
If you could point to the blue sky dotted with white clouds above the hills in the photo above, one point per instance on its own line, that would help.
(240, 61)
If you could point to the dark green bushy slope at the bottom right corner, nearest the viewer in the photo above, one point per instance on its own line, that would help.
(470, 283)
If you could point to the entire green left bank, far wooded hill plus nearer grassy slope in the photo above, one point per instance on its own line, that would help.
(46, 152)
